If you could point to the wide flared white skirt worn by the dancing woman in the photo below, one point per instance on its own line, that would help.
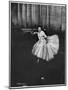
(46, 49)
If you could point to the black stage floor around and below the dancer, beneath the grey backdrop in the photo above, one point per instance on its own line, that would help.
(25, 70)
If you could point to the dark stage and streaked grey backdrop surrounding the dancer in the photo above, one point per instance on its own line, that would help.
(24, 69)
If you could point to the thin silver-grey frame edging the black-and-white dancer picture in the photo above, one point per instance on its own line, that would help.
(25, 2)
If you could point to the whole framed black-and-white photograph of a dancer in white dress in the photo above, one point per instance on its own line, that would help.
(37, 34)
